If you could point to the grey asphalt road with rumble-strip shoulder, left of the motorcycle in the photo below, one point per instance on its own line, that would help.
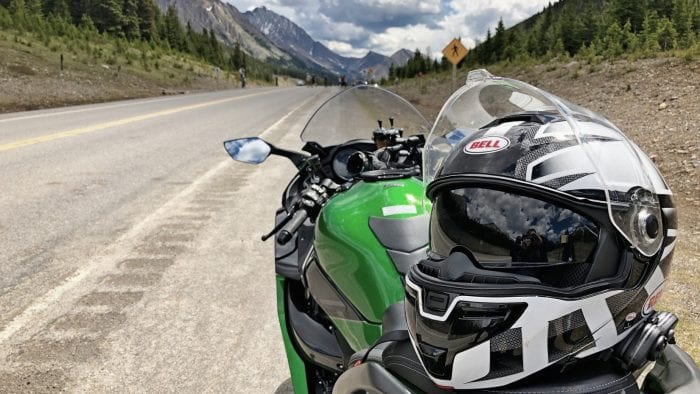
(130, 258)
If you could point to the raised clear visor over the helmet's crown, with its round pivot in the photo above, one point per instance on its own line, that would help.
(503, 127)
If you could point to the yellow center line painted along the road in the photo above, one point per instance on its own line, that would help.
(115, 123)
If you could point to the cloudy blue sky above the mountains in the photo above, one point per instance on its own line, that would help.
(354, 27)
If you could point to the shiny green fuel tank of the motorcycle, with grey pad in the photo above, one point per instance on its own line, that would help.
(365, 239)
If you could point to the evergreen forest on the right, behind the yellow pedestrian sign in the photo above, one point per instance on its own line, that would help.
(591, 30)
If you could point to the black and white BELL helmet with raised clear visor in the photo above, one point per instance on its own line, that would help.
(550, 236)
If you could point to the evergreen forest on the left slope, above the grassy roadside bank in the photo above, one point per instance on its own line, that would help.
(129, 23)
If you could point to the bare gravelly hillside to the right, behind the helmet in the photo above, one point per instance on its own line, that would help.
(655, 102)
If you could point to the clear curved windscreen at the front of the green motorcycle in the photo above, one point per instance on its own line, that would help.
(353, 114)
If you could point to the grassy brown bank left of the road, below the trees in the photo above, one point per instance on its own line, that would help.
(31, 77)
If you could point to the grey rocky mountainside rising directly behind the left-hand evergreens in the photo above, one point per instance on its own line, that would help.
(228, 24)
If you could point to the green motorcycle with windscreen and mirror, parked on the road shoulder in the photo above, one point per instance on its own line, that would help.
(352, 223)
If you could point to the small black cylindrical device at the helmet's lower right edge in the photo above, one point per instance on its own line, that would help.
(647, 340)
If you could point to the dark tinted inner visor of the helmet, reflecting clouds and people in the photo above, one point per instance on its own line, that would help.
(505, 230)
